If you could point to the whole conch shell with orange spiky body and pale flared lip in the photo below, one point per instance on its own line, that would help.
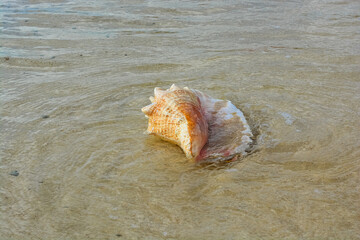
(204, 127)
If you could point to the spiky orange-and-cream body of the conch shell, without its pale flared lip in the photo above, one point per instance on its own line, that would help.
(176, 116)
